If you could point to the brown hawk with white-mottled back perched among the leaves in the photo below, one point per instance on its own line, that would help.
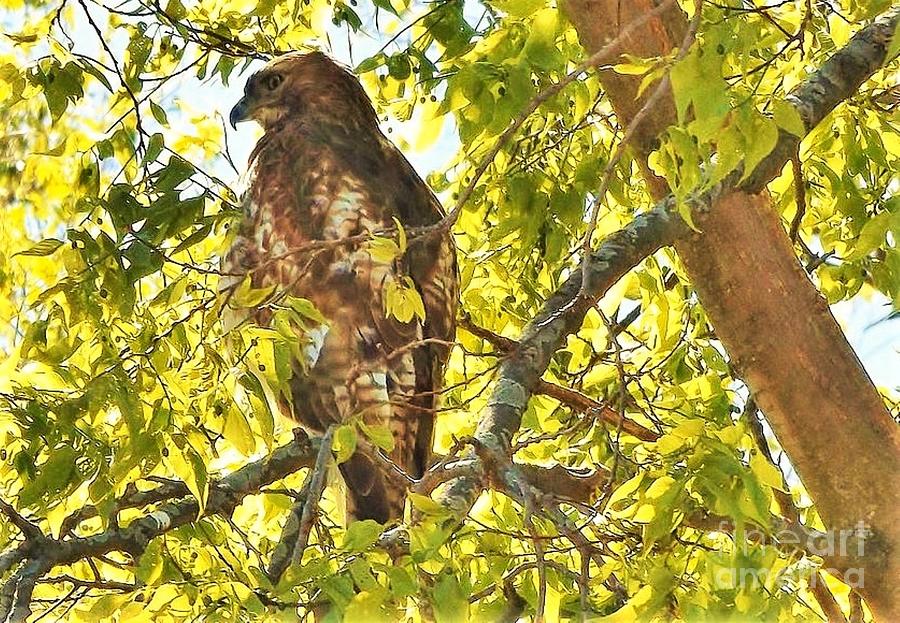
(323, 171)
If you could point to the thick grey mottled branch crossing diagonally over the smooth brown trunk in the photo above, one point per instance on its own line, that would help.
(563, 313)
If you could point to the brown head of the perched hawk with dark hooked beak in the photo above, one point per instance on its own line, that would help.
(303, 85)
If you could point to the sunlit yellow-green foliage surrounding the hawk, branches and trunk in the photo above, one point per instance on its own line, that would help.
(117, 372)
